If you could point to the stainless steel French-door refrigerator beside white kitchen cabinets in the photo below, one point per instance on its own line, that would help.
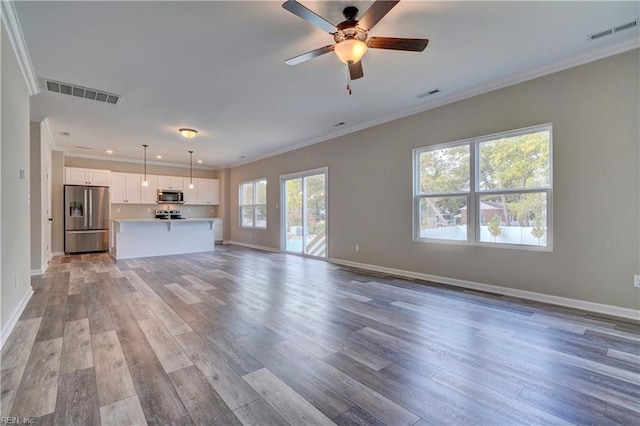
(86, 218)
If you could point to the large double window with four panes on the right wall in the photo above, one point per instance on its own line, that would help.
(493, 190)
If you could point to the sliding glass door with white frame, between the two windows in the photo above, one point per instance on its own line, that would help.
(304, 211)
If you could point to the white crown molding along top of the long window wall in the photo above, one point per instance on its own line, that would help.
(602, 52)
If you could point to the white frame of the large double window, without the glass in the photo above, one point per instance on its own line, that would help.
(474, 193)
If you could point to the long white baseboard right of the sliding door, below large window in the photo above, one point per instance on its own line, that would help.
(522, 294)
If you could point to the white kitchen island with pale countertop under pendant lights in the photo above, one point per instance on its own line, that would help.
(160, 237)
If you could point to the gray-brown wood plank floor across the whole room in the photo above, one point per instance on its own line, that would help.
(246, 337)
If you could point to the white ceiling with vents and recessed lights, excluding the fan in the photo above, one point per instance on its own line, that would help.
(219, 67)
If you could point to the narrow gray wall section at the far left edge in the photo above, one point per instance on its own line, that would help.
(14, 156)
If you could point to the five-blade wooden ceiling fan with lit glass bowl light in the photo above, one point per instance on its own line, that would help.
(351, 35)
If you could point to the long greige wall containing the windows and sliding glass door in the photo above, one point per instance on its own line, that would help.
(595, 115)
